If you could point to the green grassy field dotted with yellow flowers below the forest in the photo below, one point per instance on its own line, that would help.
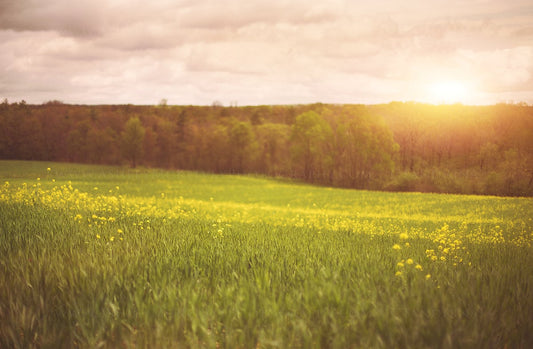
(110, 257)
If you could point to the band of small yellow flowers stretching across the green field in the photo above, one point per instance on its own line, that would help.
(99, 207)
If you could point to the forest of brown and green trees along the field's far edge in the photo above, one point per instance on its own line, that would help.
(399, 146)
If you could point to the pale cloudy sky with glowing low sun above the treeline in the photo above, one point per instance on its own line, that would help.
(253, 52)
